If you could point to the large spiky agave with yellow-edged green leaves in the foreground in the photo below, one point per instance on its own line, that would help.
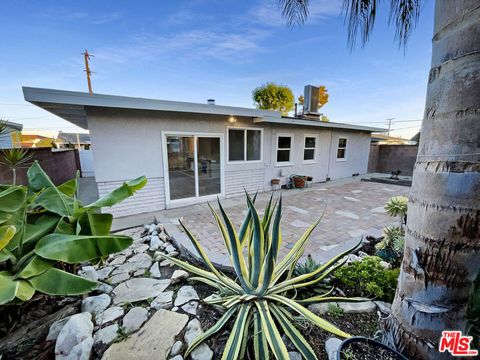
(260, 298)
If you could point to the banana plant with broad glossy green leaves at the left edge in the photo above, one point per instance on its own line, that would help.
(45, 231)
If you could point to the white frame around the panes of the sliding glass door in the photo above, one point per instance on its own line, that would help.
(196, 199)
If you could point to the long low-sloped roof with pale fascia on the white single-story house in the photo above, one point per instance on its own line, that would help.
(70, 105)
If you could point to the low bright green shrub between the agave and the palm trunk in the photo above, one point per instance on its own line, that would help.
(368, 278)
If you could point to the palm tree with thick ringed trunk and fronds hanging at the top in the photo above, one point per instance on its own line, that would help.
(439, 284)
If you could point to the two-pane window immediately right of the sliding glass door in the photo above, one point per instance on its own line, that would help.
(244, 145)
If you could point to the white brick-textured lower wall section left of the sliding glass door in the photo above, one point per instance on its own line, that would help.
(150, 198)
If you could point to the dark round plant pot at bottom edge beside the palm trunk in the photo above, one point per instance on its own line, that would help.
(362, 348)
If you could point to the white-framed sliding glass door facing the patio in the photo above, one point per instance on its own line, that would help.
(194, 166)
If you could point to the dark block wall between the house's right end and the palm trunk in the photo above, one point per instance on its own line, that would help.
(393, 158)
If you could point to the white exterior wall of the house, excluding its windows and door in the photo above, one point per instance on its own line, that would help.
(127, 144)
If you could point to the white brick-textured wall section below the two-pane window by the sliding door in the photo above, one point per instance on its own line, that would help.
(236, 181)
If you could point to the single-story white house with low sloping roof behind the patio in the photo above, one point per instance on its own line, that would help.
(194, 152)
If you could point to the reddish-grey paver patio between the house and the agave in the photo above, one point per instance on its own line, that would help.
(351, 208)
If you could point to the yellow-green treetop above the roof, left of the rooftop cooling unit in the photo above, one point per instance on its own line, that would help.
(274, 97)
